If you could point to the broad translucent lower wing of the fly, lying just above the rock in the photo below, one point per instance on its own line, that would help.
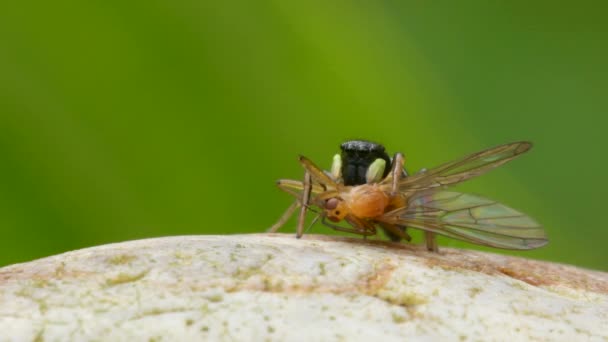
(470, 218)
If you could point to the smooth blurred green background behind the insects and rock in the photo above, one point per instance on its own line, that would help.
(124, 120)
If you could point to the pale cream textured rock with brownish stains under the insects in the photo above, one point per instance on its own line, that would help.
(276, 287)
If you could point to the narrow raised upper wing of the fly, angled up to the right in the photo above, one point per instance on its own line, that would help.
(468, 167)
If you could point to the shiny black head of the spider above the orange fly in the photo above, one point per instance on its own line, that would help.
(357, 156)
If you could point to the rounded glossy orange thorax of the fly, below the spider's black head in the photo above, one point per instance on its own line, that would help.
(367, 201)
